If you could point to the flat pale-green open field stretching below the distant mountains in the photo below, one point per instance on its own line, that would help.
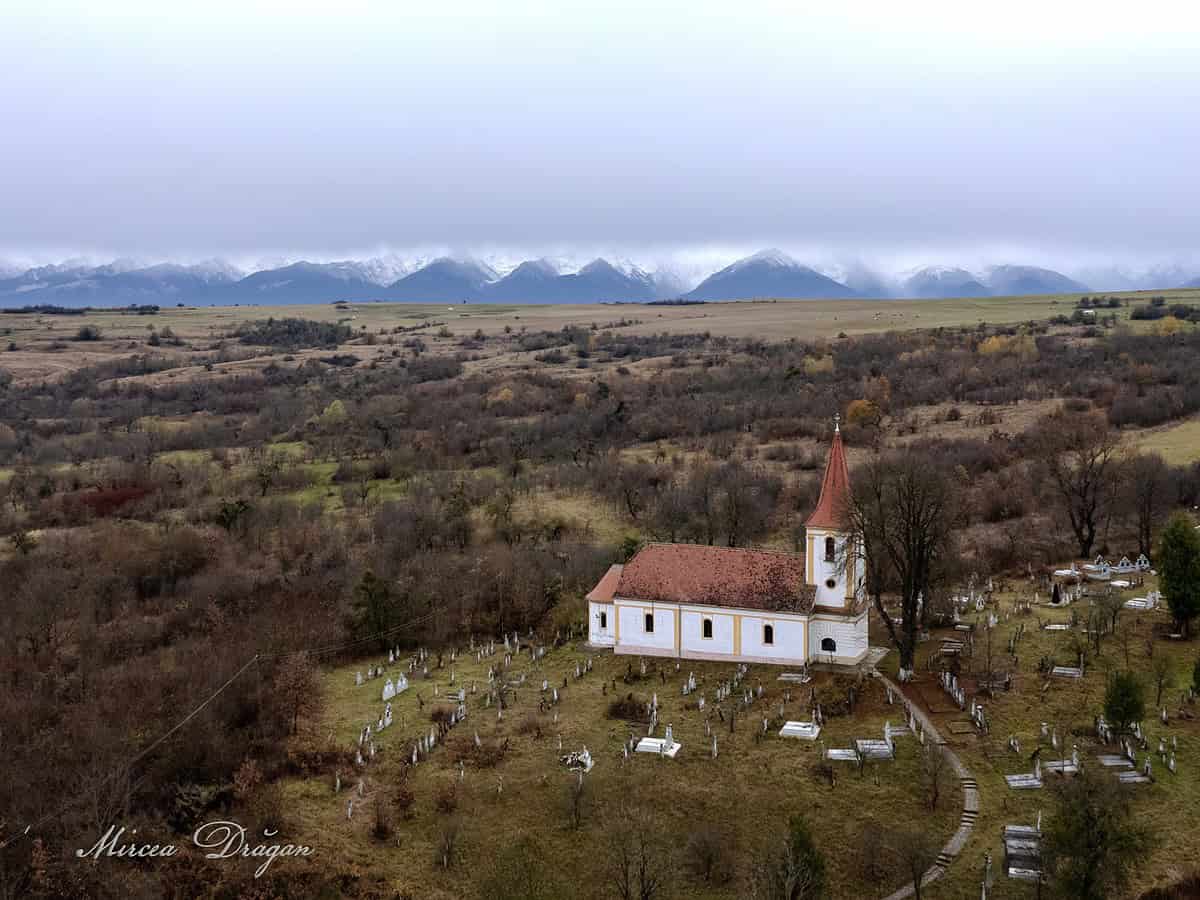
(45, 347)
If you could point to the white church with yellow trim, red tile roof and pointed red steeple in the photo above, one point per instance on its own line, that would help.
(729, 604)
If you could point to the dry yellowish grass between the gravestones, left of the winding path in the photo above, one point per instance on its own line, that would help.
(748, 793)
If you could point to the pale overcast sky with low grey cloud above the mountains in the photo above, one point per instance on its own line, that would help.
(897, 130)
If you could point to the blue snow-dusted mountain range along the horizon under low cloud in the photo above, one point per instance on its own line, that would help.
(767, 274)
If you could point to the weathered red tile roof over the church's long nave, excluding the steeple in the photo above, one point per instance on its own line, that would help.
(717, 577)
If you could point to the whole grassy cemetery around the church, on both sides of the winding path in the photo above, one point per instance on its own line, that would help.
(514, 725)
